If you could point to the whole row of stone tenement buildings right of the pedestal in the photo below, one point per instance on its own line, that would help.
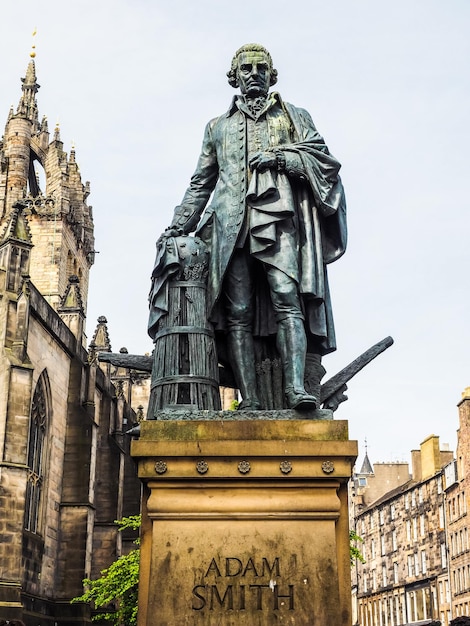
(416, 534)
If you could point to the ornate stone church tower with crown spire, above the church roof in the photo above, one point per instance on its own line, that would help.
(60, 221)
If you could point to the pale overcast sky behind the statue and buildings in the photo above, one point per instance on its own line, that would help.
(133, 83)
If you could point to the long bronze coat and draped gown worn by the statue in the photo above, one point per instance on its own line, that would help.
(308, 194)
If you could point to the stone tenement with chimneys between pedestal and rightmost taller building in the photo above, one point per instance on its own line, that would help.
(406, 578)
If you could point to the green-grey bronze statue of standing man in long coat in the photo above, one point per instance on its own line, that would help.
(276, 218)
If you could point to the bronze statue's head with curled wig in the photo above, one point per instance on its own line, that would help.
(252, 70)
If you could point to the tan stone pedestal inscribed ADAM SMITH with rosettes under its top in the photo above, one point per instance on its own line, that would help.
(245, 522)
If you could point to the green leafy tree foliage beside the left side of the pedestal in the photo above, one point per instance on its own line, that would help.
(116, 589)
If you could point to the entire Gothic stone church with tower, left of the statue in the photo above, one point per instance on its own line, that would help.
(65, 469)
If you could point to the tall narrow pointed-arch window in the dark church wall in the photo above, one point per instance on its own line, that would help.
(36, 453)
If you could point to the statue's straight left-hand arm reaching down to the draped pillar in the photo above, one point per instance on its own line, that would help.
(203, 181)
